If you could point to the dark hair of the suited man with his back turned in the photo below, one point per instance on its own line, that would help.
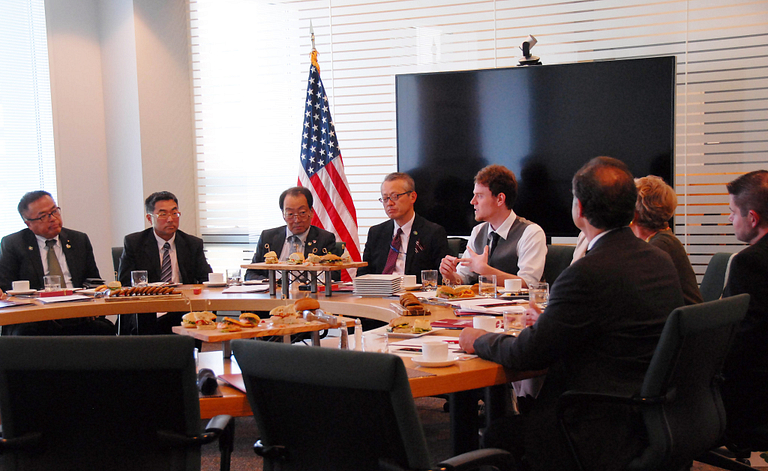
(607, 192)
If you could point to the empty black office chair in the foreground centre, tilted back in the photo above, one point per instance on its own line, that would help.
(326, 409)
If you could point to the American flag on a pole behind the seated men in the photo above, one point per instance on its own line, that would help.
(322, 169)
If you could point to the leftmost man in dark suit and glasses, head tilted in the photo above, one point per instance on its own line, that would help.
(45, 247)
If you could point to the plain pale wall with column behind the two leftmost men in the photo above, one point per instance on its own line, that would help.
(122, 114)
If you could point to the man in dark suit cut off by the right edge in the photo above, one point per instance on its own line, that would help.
(746, 368)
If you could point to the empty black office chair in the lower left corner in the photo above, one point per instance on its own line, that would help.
(116, 403)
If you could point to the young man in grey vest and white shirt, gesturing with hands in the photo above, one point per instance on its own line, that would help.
(505, 245)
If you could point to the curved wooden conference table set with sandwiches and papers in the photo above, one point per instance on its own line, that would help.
(459, 381)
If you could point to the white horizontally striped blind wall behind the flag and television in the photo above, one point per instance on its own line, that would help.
(722, 89)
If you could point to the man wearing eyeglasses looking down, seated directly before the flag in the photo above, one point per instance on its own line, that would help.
(298, 235)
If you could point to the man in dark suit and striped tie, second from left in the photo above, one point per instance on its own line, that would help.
(166, 253)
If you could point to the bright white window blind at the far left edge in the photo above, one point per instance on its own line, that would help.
(26, 122)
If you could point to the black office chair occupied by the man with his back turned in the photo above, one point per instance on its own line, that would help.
(679, 401)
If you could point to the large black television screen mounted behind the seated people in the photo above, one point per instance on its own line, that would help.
(542, 122)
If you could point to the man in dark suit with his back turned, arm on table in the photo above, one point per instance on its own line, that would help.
(598, 332)
